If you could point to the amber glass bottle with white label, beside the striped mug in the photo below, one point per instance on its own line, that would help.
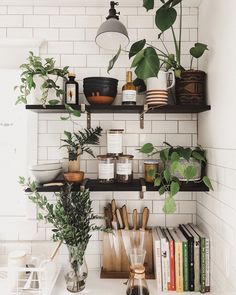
(129, 90)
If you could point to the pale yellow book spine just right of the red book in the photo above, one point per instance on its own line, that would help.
(178, 267)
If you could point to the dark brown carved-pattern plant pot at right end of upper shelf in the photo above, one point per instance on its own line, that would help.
(191, 88)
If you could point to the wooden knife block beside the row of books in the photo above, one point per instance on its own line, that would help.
(117, 266)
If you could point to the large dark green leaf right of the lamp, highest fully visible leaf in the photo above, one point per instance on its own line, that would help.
(165, 18)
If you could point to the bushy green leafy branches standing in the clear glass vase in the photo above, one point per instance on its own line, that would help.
(71, 216)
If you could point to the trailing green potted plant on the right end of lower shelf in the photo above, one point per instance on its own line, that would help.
(179, 164)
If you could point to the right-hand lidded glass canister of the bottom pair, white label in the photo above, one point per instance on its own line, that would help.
(124, 168)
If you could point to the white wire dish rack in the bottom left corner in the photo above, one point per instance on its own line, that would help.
(38, 280)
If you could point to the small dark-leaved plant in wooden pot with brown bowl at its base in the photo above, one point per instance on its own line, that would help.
(77, 143)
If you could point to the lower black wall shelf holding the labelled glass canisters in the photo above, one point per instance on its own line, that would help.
(136, 185)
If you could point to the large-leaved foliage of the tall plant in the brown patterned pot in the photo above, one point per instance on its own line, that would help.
(148, 59)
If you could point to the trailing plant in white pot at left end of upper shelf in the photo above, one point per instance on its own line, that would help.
(43, 83)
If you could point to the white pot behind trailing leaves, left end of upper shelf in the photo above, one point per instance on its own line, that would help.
(36, 94)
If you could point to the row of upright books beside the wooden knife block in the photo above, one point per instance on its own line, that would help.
(181, 259)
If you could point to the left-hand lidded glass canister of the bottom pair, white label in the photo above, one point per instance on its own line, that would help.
(106, 168)
